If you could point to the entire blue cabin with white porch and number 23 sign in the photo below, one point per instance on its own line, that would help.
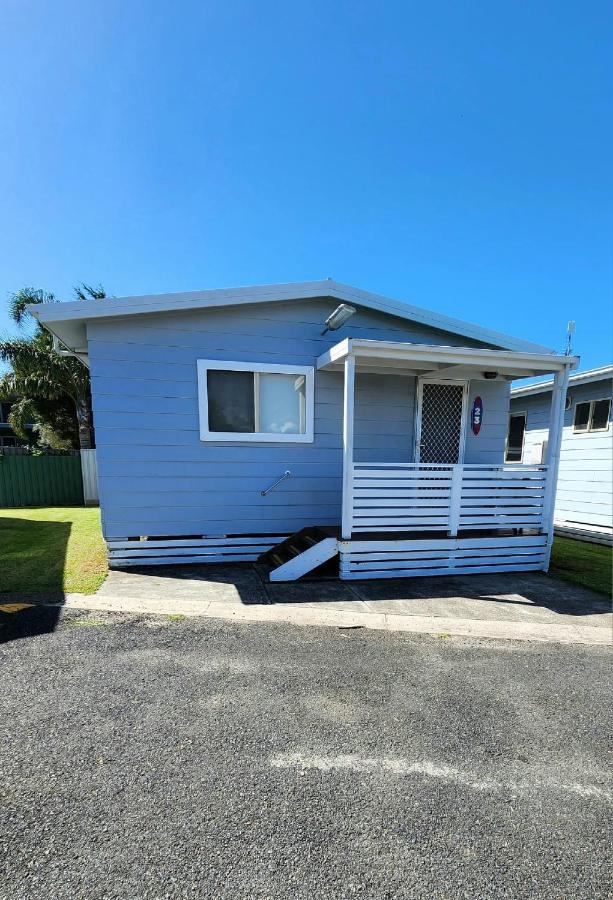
(229, 421)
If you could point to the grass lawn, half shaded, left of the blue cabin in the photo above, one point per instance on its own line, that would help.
(50, 550)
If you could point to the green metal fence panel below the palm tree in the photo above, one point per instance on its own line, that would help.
(40, 480)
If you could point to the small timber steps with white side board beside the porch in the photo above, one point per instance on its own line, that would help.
(312, 550)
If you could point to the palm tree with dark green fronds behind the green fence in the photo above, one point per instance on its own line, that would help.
(51, 388)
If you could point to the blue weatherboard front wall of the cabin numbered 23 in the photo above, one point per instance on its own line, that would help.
(157, 477)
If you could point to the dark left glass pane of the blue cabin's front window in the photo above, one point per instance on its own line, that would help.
(231, 401)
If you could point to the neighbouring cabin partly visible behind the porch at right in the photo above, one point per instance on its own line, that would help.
(583, 506)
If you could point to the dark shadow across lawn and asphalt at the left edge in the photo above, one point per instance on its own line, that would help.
(24, 545)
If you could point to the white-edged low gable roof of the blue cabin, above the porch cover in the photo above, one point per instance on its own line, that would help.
(67, 320)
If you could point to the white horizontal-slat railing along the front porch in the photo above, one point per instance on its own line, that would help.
(432, 497)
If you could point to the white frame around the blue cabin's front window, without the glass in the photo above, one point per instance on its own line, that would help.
(258, 436)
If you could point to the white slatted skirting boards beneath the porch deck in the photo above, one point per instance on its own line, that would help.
(445, 556)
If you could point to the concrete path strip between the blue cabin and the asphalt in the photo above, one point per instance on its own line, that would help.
(528, 607)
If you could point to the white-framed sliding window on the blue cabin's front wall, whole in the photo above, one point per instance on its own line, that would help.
(255, 402)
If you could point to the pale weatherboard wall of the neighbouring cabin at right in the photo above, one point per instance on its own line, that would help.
(585, 493)
